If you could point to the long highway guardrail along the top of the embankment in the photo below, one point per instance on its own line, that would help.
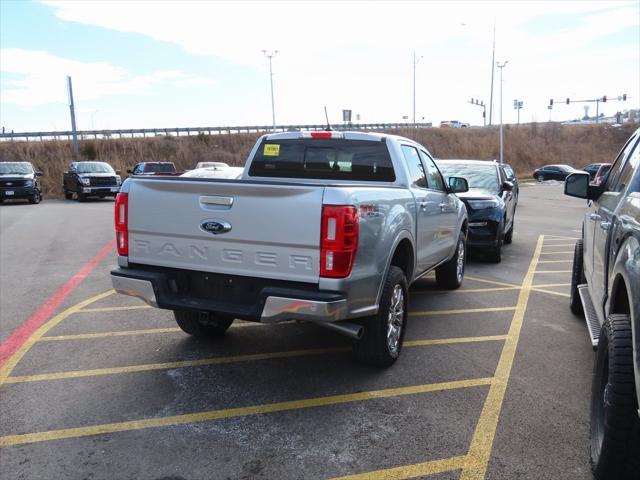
(152, 132)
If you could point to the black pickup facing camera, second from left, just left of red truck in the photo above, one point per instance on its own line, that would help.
(90, 179)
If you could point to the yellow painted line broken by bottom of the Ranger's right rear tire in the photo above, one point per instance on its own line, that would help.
(230, 359)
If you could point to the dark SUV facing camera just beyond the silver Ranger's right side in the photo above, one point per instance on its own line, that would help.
(490, 202)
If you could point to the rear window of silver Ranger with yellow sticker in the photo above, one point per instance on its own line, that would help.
(323, 158)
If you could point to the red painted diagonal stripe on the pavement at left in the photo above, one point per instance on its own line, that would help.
(22, 334)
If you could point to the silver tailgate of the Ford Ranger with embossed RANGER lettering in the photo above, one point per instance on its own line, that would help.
(275, 228)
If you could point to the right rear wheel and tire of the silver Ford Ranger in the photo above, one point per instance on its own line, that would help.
(374, 348)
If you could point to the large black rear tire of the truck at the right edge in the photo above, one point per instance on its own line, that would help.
(615, 426)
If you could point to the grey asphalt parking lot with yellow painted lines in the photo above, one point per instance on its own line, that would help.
(494, 380)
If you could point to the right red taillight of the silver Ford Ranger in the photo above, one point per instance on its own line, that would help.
(338, 241)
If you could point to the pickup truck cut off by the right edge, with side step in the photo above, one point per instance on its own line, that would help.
(605, 286)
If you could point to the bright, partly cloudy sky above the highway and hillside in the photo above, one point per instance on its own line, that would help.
(143, 64)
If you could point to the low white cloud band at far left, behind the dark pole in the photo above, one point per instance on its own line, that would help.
(38, 78)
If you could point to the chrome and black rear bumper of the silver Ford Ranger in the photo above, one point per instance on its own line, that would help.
(272, 304)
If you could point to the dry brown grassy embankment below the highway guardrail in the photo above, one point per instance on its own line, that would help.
(526, 147)
